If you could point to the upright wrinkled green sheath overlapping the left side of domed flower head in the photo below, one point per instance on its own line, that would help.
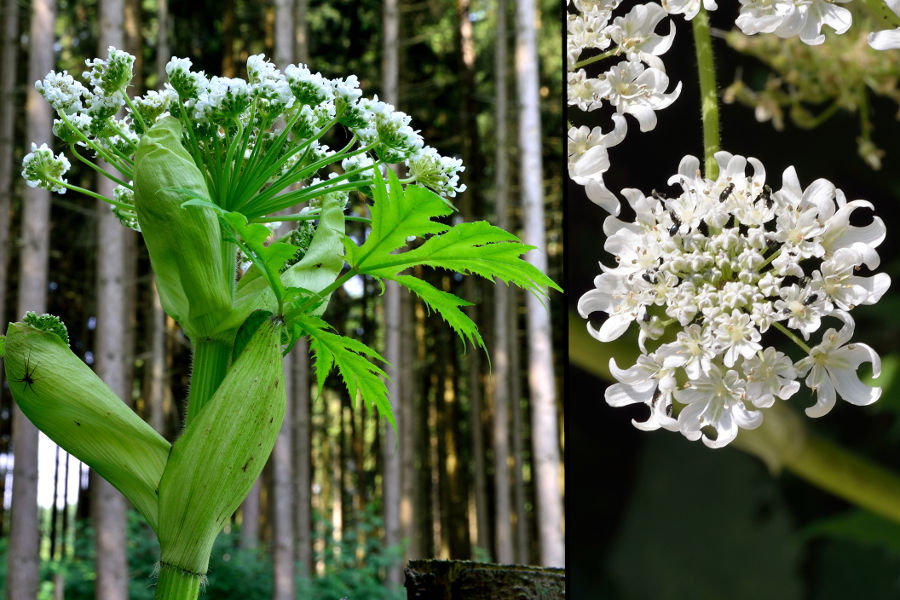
(184, 243)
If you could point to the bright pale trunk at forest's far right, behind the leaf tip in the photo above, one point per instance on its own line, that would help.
(541, 381)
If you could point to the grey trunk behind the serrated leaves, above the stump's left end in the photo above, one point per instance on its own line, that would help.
(392, 319)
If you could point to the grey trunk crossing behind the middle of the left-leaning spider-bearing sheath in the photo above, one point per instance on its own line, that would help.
(108, 506)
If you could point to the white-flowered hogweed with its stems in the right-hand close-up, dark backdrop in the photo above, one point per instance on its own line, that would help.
(723, 269)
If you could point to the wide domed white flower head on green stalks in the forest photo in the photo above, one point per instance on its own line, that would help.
(253, 139)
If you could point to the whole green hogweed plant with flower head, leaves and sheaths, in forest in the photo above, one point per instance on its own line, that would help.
(202, 167)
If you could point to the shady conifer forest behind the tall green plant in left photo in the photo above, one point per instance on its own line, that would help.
(322, 502)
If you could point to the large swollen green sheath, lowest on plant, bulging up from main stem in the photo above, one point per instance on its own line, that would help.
(221, 453)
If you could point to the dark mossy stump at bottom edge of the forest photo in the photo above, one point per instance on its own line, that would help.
(467, 580)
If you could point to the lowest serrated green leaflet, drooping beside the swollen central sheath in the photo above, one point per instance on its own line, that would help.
(353, 361)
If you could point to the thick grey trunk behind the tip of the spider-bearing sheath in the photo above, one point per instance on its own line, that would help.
(24, 533)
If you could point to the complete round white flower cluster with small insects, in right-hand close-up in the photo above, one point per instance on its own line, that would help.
(710, 275)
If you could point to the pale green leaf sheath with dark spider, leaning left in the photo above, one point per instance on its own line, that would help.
(74, 408)
